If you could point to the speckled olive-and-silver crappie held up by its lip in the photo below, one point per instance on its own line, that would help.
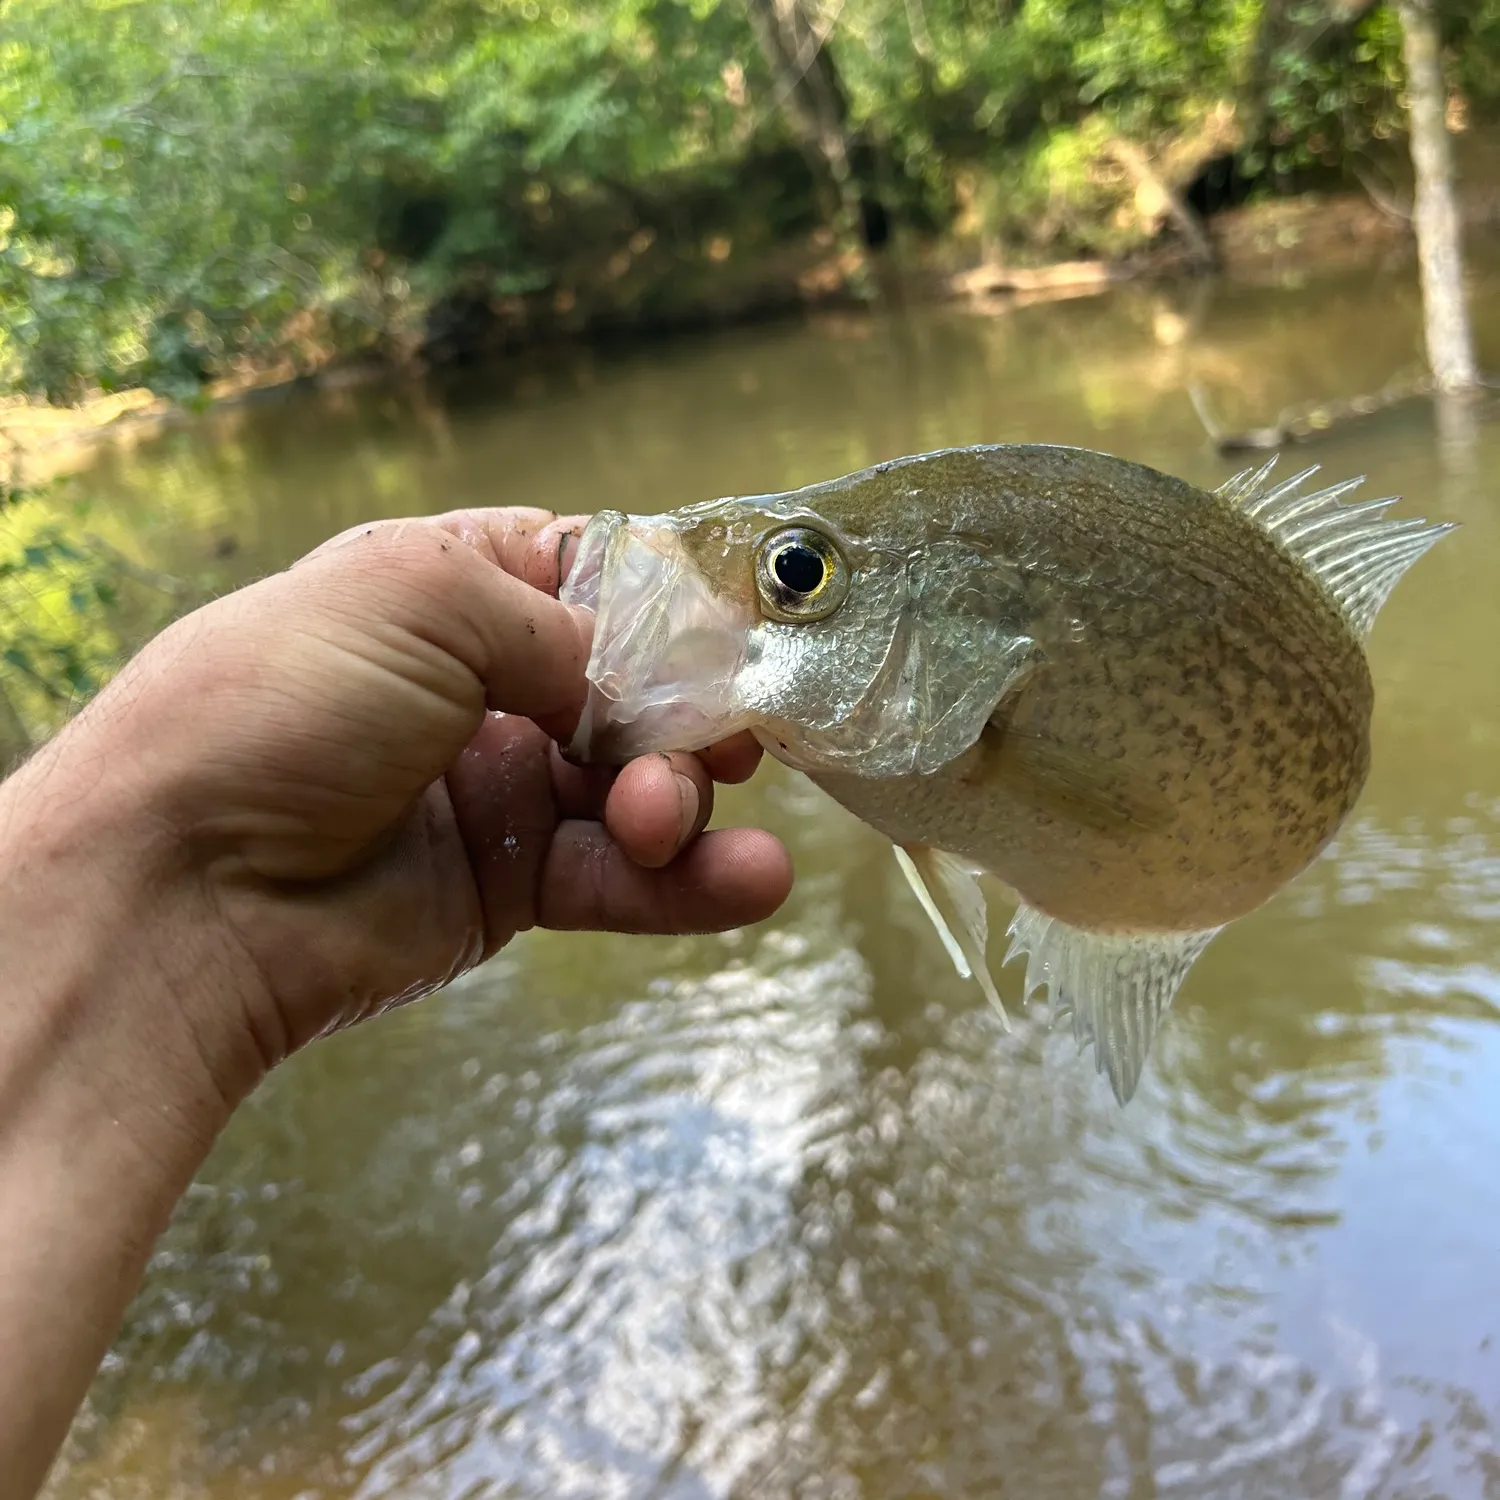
(1142, 706)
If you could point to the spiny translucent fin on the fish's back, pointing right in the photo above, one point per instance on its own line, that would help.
(1354, 551)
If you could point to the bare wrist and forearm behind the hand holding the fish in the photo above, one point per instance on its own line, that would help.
(115, 1081)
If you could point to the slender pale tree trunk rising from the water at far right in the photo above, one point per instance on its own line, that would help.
(1450, 341)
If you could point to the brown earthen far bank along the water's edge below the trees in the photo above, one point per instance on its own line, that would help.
(1271, 244)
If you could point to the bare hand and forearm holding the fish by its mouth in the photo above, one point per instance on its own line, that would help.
(308, 802)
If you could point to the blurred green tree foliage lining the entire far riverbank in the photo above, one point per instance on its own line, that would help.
(191, 188)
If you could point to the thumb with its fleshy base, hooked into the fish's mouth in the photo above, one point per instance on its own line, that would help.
(299, 719)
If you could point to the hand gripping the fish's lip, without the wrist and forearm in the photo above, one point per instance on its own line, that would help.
(355, 764)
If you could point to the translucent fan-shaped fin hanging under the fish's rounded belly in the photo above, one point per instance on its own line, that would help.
(1115, 986)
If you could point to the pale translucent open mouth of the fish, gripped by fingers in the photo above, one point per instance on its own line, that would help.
(667, 649)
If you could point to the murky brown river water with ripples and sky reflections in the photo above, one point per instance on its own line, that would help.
(784, 1213)
